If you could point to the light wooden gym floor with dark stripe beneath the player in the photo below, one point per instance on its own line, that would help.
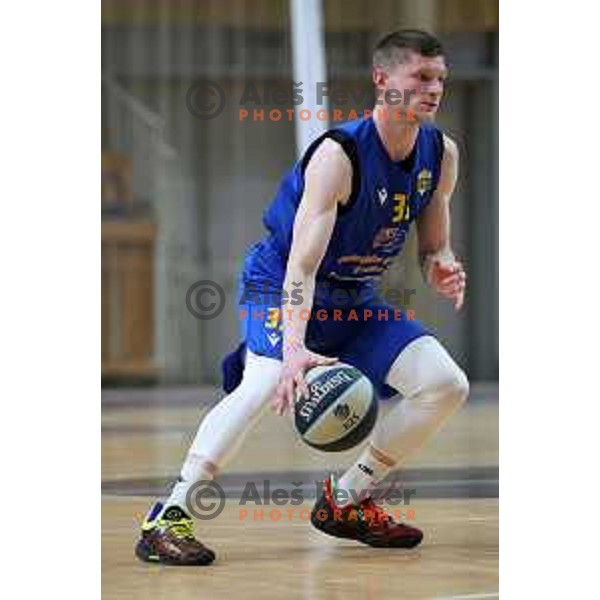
(145, 434)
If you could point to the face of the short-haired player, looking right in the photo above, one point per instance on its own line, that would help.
(419, 79)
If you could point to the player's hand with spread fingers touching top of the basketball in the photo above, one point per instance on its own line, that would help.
(292, 375)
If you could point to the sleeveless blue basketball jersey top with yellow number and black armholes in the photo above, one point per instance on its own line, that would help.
(387, 196)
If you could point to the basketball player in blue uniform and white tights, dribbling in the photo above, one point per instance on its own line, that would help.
(339, 217)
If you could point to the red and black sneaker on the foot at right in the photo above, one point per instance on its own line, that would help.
(366, 523)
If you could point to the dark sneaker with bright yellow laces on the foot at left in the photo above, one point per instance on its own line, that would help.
(168, 539)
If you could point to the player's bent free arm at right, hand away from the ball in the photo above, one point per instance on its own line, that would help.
(440, 268)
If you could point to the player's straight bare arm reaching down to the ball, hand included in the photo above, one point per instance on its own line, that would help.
(327, 183)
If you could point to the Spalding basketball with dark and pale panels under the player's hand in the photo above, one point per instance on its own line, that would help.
(341, 410)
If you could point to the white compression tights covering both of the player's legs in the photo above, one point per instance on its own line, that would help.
(432, 385)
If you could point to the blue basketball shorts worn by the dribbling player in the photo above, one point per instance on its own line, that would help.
(368, 336)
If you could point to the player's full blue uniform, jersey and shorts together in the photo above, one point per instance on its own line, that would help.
(369, 232)
